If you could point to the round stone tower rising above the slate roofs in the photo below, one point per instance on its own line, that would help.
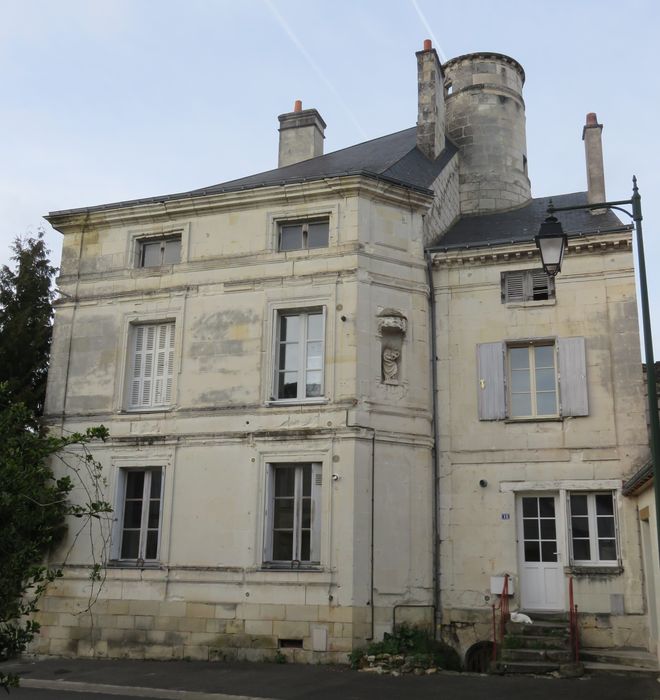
(486, 120)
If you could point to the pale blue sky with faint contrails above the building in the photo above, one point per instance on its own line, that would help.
(104, 101)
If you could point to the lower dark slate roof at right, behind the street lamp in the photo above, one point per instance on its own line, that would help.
(522, 224)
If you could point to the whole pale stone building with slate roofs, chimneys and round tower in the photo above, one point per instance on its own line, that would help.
(342, 394)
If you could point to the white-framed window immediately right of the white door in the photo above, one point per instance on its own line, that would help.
(593, 529)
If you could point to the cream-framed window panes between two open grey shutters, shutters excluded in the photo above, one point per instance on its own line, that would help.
(532, 381)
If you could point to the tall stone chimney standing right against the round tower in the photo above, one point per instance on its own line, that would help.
(430, 102)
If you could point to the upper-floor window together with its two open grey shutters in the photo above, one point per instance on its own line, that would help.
(534, 379)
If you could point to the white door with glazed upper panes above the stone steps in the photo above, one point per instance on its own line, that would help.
(540, 569)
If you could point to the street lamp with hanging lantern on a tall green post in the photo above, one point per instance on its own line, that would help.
(551, 230)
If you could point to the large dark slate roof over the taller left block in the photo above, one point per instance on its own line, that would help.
(394, 158)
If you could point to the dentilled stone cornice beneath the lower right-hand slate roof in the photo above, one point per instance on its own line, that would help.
(589, 245)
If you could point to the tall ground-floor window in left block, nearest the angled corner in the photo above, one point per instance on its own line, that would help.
(293, 522)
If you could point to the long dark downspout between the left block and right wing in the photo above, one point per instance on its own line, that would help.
(437, 610)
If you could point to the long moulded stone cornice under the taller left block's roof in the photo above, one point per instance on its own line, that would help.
(168, 209)
